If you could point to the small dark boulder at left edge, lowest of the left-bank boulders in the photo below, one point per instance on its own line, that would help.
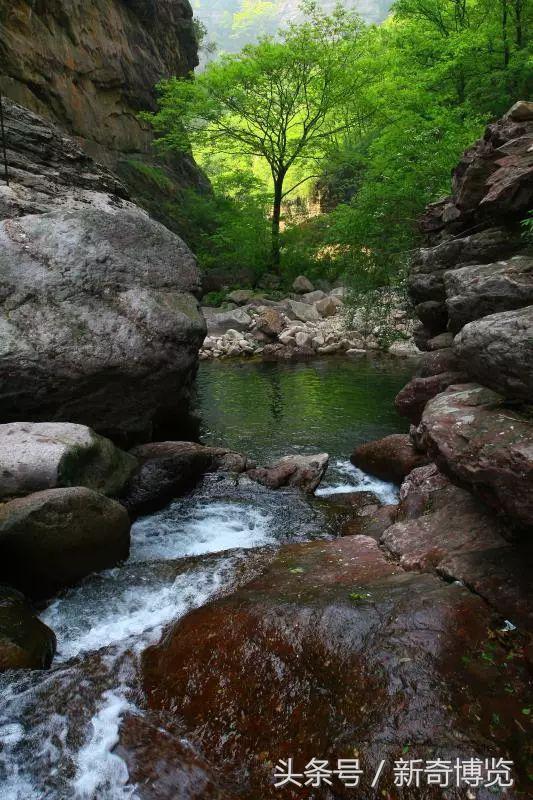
(25, 641)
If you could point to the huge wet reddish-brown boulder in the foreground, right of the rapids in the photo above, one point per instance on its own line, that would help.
(338, 652)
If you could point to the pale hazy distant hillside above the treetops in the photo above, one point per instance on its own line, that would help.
(233, 23)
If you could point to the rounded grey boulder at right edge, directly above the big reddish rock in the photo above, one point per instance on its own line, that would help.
(498, 350)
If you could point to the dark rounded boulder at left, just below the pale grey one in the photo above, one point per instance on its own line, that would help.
(52, 539)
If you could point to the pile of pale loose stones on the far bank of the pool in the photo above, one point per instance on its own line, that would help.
(307, 322)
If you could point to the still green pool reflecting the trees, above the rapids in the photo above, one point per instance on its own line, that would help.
(268, 410)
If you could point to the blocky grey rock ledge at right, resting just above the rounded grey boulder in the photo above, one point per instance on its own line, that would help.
(475, 292)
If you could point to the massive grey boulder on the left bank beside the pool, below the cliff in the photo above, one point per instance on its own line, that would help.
(98, 323)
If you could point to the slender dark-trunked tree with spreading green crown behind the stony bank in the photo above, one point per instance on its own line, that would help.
(280, 101)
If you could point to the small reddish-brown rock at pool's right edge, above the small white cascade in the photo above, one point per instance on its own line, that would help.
(390, 458)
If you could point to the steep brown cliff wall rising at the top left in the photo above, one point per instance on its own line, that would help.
(91, 67)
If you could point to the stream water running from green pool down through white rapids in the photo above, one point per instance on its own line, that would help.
(58, 729)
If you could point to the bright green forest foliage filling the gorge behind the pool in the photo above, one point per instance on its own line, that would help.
(413, 92)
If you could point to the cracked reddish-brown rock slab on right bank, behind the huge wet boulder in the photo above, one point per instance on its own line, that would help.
(442, 527)
